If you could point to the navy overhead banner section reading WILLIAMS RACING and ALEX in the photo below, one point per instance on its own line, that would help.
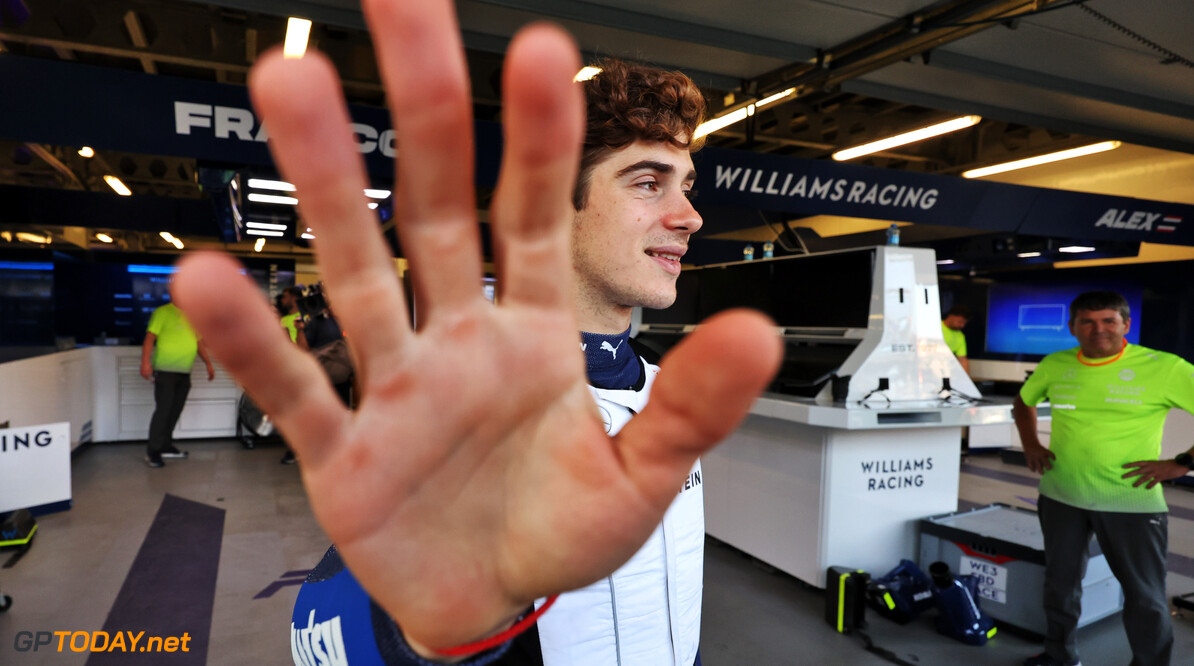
(804, 188)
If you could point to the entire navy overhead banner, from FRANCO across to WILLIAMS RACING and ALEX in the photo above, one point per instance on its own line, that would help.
(71, 104)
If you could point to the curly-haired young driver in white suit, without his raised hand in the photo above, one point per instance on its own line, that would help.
(631, 229)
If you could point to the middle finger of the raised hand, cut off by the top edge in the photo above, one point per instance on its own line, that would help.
(422, 63)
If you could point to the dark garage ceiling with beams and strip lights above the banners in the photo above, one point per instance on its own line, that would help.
(1062, 75)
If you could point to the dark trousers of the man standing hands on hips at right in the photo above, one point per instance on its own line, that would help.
(1136, 546)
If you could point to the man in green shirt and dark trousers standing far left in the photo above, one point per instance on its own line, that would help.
(168, 355)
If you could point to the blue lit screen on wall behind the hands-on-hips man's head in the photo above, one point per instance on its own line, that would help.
(1035, 319)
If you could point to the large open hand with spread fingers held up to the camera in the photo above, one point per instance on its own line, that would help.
(476, 476)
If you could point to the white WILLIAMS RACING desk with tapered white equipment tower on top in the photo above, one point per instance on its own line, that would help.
(859, 437)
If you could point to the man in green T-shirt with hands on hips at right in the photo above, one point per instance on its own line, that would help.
(1101, 474)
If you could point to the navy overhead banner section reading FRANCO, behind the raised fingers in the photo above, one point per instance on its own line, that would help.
(71, 104)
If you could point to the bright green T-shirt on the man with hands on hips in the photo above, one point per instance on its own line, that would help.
(1104, 417)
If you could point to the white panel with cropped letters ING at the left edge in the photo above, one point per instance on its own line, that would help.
(35, 466)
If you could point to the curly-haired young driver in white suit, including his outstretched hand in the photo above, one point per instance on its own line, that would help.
(490, 468)
